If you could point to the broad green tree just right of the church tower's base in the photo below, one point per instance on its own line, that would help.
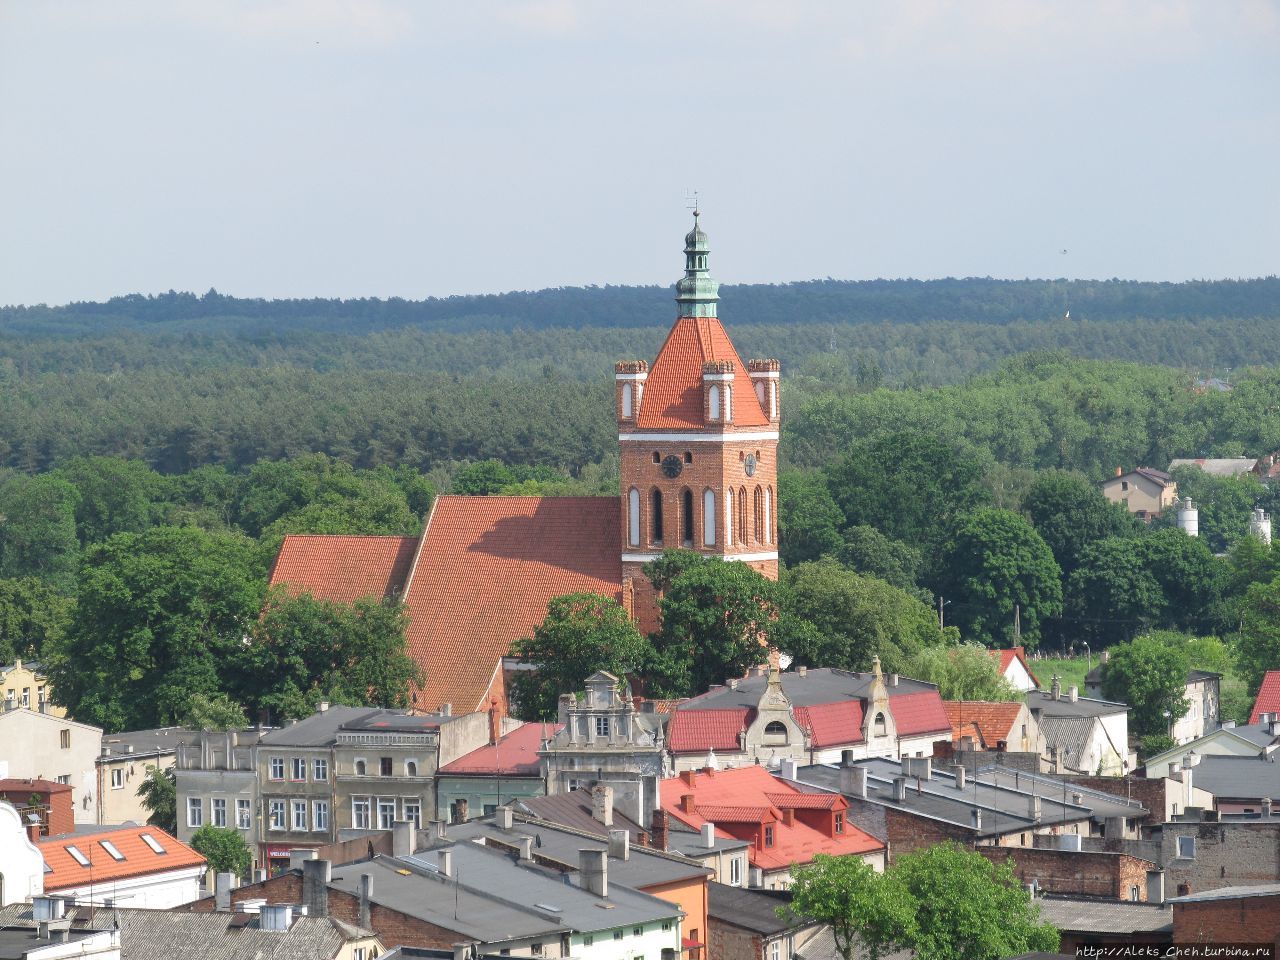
(857, 618)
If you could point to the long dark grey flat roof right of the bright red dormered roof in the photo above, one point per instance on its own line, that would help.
(1004, 808)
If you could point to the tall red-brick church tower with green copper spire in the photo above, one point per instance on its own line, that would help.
(700, 437)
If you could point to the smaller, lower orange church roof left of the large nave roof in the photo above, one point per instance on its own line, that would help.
(344, 569)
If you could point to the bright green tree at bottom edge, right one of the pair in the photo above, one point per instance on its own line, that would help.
(968, 908)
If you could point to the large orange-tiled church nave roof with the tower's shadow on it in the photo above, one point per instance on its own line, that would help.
(487, 570)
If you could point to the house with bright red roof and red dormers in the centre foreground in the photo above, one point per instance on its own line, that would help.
(785, 826)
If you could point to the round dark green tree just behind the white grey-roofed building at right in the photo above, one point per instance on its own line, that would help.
(1150, 675)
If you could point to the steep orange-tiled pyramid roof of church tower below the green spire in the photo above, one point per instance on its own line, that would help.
(674, 391)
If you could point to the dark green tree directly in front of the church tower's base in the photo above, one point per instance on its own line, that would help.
(716, 619)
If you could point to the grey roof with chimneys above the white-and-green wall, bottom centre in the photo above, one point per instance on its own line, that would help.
(546, 894)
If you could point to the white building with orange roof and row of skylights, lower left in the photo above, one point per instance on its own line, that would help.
(124, 867)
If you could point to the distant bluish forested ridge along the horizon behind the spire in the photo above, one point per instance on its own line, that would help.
(815, 303)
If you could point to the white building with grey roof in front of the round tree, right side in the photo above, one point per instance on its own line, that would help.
(1082, 735)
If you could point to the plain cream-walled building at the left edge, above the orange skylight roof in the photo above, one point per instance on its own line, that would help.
(36, 746)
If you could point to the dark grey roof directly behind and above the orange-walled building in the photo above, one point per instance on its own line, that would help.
(560, 844)
